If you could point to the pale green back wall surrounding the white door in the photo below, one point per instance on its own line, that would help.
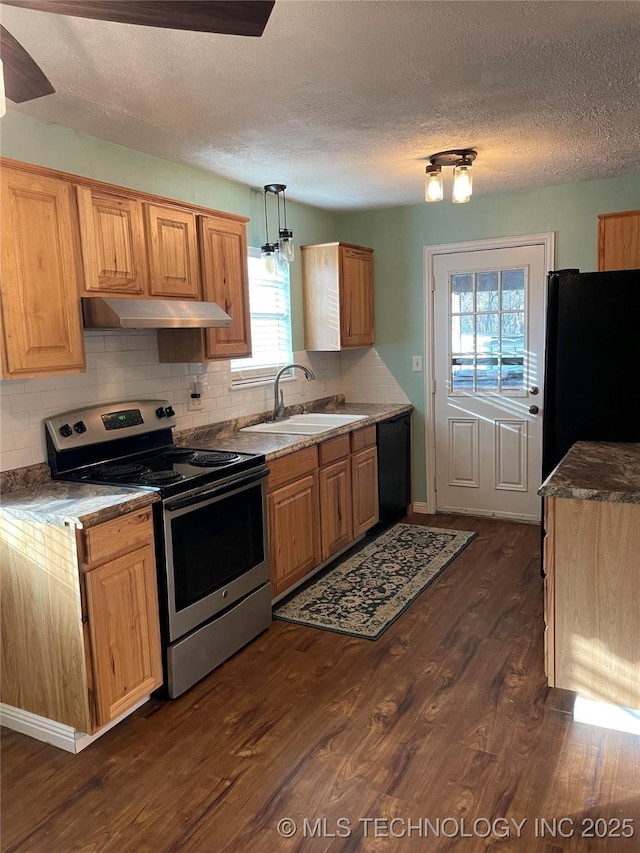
(399, 235)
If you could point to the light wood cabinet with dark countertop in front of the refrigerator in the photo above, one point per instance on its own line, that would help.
(592, 568)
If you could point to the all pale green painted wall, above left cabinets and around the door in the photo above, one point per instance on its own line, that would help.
(398, 235)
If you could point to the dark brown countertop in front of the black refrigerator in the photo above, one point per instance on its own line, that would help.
(597, 471)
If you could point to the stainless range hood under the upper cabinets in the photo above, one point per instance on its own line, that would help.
(112, 313)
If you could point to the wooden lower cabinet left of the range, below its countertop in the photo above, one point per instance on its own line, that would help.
(81, 639)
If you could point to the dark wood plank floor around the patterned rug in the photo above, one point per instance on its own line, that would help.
(446, 716)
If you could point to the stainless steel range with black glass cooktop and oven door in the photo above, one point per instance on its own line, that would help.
(210, 526)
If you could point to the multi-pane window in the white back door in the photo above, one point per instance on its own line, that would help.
(487, 331)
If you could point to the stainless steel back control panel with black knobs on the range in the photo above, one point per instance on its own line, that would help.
(96, 424)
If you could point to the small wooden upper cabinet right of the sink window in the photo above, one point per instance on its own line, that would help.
(337, 283)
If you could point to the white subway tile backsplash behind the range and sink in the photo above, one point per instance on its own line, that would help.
(124, 366)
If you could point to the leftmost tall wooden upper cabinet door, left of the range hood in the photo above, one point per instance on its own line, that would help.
(40, 278)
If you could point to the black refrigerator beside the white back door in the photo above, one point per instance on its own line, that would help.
(592, 361)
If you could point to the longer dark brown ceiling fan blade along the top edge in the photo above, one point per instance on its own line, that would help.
(232, 17)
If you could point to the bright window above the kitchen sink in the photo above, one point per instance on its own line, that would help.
(270, 304)
